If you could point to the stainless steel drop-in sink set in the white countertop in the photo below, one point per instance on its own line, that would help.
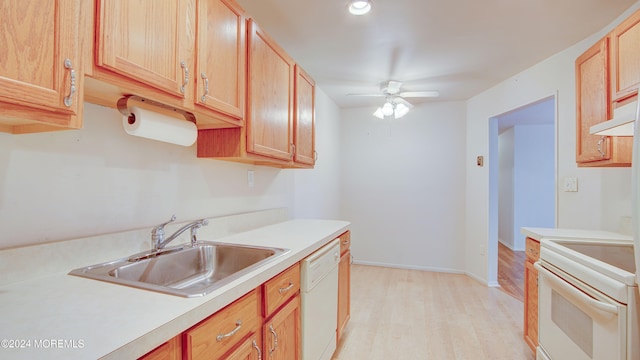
(185, 270)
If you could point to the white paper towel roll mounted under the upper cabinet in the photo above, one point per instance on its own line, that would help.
(160, 127)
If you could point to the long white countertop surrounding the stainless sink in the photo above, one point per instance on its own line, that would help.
(66, 317)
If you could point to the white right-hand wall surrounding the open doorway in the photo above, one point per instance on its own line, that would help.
(604, 194)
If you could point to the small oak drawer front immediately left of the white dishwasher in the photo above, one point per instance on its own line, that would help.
(281, 288)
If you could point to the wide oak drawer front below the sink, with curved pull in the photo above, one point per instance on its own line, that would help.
(220, 332)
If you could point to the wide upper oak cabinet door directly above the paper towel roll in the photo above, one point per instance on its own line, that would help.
(146, 40)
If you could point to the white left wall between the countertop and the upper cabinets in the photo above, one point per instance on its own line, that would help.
(71, 184)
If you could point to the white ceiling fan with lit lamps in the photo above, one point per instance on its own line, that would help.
(395, 104)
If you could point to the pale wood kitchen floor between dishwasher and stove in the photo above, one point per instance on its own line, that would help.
(410, 314)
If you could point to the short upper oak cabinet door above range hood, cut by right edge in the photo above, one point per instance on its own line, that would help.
(625, 65)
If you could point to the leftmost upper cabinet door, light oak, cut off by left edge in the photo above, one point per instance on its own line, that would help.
(39, 56)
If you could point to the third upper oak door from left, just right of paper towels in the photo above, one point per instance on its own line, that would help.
(221, 60)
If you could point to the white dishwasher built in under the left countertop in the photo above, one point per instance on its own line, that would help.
(319, 292)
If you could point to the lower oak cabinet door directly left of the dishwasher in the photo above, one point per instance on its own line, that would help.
(281, 334)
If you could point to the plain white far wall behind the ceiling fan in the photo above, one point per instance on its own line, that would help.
(403, 186)
